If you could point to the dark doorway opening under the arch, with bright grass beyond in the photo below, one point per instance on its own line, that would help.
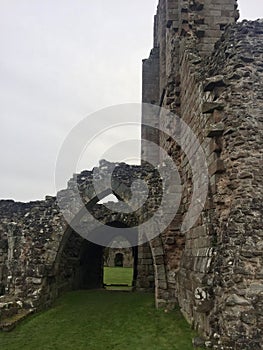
(86, 265)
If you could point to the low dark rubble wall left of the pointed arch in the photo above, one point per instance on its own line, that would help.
(33, 229)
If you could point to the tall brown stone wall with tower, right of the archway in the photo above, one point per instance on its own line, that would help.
(212, 79)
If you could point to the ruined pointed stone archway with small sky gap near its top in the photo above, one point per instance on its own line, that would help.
(83, 210)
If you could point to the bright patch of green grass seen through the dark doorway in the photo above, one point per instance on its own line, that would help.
(118, 275)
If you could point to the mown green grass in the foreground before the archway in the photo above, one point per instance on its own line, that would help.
(101, 320)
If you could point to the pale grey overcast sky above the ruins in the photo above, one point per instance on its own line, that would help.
(60, 61)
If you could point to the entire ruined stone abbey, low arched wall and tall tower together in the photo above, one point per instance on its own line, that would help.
(207, 68)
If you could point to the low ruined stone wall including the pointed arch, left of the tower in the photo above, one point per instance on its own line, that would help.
(41, 255)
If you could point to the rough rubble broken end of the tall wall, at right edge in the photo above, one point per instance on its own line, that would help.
(237, 192)
